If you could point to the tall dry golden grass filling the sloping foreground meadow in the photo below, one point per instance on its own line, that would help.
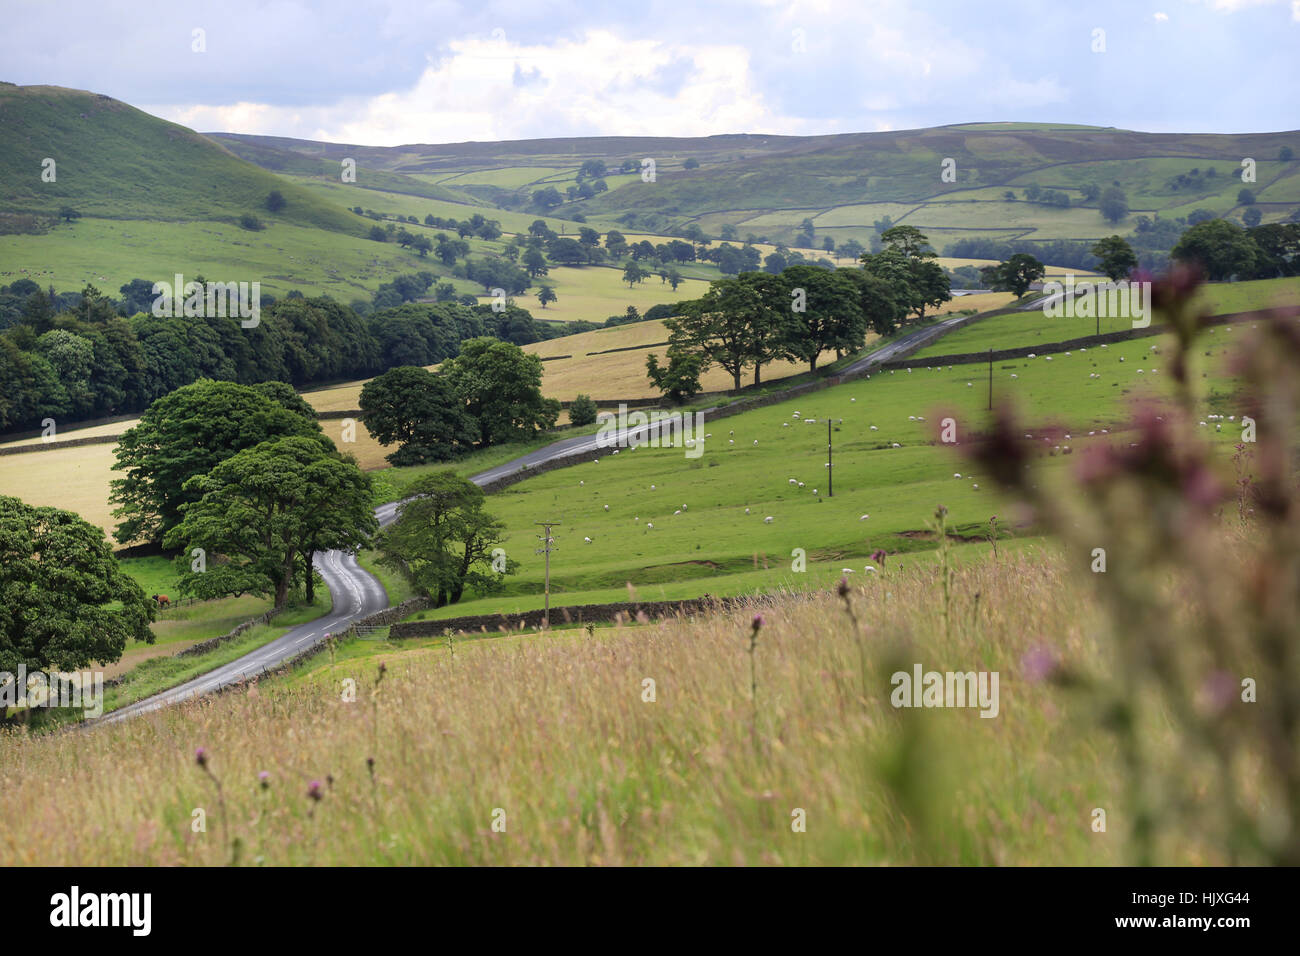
(556, 733)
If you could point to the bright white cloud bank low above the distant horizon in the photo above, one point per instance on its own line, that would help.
(599, 84)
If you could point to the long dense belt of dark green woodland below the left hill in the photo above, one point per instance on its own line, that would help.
(77, 357)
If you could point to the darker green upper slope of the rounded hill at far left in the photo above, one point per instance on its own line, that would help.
(115, 162)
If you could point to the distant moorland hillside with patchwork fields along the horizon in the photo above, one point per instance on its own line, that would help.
(768, 185)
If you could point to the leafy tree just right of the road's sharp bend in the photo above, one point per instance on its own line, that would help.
(443, 540)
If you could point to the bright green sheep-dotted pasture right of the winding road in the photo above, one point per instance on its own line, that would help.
(681, 527)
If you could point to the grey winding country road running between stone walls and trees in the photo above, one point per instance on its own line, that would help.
(358, 594)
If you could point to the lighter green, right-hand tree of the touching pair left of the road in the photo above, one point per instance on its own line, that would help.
(501, 387)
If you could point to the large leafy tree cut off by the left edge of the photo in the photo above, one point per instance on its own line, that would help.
(64, 600)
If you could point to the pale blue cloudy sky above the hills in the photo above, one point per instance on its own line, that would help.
(443, 72)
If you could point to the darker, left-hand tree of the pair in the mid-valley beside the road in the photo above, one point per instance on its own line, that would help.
(419, 412)
